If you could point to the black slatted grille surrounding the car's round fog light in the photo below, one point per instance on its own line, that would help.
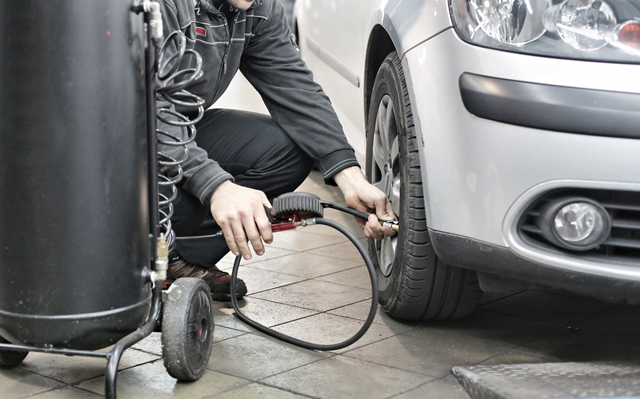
(623, 245)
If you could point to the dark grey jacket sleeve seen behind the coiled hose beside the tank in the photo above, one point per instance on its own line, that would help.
(201, 175)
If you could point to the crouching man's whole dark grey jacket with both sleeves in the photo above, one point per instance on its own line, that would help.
(258, 43)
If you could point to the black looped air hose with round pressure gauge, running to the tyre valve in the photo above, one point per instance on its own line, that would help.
(303, 209)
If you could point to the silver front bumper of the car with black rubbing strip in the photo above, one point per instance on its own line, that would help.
(498, 129)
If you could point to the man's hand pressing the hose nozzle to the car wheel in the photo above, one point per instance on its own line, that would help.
(361, 195)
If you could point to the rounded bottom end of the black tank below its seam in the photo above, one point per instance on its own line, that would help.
(79, 331)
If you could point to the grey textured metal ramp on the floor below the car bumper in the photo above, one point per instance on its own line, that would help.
(550, 381)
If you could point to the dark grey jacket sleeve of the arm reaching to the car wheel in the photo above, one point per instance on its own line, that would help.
(271, 62)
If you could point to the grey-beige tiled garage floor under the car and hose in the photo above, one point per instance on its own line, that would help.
(311, 283)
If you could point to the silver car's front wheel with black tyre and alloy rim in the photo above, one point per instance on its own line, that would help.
(413, 283)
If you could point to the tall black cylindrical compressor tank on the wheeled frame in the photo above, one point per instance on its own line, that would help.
(74, 233)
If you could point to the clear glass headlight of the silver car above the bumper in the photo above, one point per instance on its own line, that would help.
(584, 29)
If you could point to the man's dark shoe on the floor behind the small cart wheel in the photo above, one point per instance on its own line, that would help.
(219, 282)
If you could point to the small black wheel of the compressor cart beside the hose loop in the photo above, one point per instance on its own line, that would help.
(187, 329)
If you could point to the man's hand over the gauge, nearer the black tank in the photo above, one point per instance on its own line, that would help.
(239, 211)
